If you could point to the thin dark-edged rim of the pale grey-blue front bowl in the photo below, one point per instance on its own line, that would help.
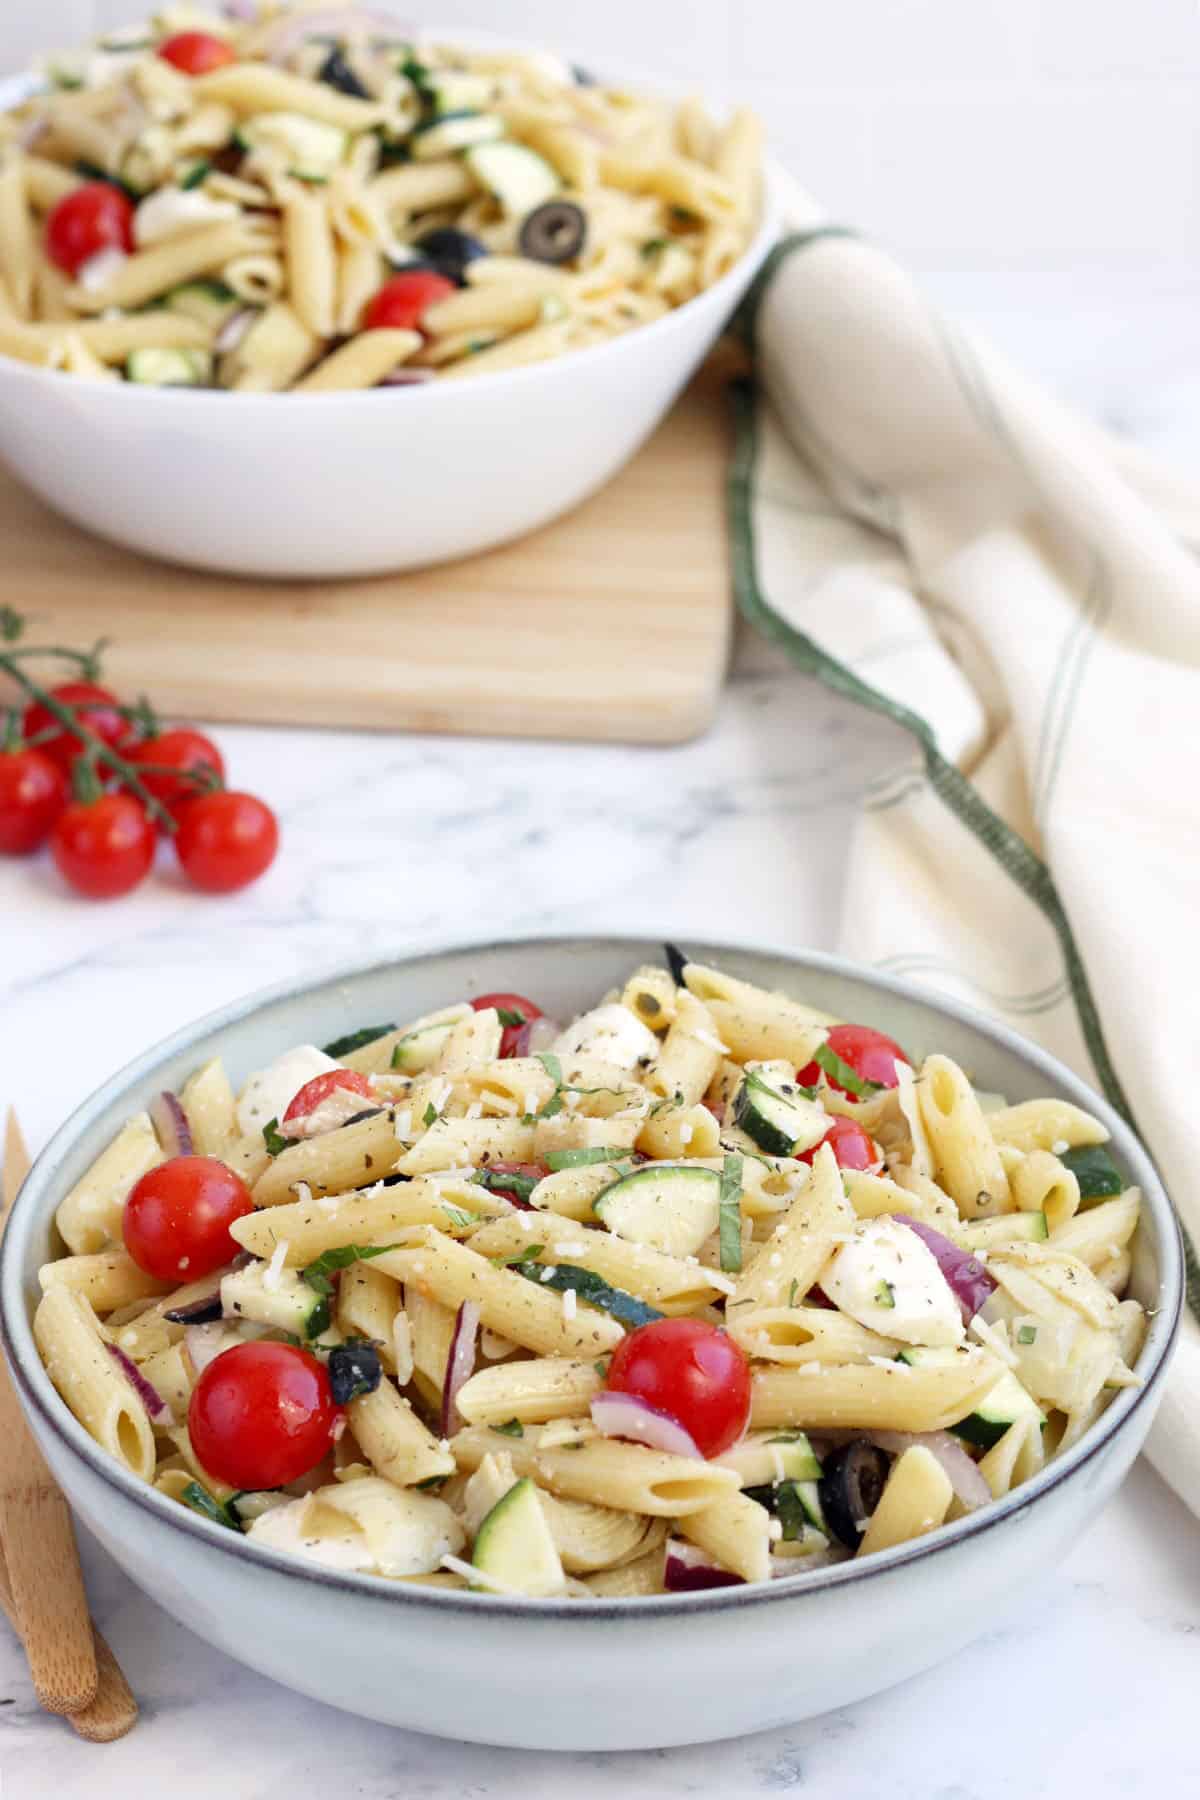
(44, 1399)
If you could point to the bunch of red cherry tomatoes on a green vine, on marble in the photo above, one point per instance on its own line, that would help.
(100, 782)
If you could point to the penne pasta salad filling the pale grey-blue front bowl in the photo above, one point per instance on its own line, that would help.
(701, 1288)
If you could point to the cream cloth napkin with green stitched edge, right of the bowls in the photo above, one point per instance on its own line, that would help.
(936, 539)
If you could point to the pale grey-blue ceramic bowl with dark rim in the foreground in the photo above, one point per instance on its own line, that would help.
(613, 1675)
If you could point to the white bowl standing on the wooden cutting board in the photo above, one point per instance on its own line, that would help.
(343, 485)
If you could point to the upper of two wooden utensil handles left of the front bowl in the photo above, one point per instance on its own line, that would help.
(37, 1536)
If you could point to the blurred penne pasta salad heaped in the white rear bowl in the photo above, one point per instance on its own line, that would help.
(314, 199)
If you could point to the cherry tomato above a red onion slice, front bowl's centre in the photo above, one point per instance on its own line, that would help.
(690, 1371)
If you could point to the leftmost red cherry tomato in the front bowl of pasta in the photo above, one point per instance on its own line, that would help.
(177, 1218)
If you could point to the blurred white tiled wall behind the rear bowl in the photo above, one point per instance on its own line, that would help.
(967, 134)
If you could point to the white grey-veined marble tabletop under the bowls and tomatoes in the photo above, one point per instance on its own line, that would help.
(1091, 1684)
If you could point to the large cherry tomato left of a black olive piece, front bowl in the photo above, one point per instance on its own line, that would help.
(262, 1416)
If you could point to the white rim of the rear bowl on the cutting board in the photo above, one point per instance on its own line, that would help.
(422, 393)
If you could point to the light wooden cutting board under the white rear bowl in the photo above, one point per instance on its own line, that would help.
(611, 624)
